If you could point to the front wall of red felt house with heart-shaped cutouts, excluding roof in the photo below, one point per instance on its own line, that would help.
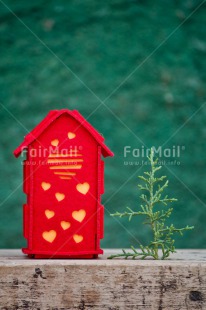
(63, 188)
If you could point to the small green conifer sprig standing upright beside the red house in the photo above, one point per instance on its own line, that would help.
(163, 243)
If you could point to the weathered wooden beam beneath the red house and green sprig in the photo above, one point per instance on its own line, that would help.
(178, 283)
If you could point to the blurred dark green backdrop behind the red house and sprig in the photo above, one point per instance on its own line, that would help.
(74, 54)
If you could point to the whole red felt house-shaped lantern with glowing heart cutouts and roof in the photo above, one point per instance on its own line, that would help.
(63, 181)
